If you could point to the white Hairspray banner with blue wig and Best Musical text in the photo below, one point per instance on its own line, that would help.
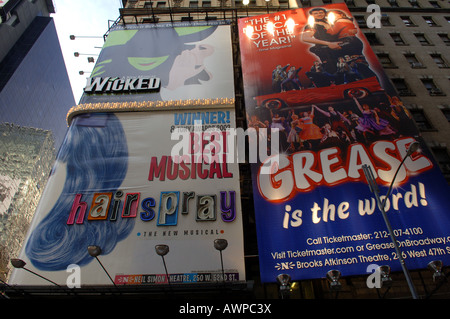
(115, 185)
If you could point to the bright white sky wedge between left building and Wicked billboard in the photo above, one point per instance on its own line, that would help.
(88, 21)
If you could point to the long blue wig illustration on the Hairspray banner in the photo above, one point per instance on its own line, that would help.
(95, 154)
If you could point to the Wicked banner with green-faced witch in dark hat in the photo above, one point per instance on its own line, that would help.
(161, 62)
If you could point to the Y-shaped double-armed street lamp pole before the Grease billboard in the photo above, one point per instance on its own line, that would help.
(381, 206)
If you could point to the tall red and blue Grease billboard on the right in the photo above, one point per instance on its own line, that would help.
(311, 74)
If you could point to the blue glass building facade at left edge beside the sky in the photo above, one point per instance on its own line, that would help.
(34, 86)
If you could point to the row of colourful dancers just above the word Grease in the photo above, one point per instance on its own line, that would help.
(314, 128)
